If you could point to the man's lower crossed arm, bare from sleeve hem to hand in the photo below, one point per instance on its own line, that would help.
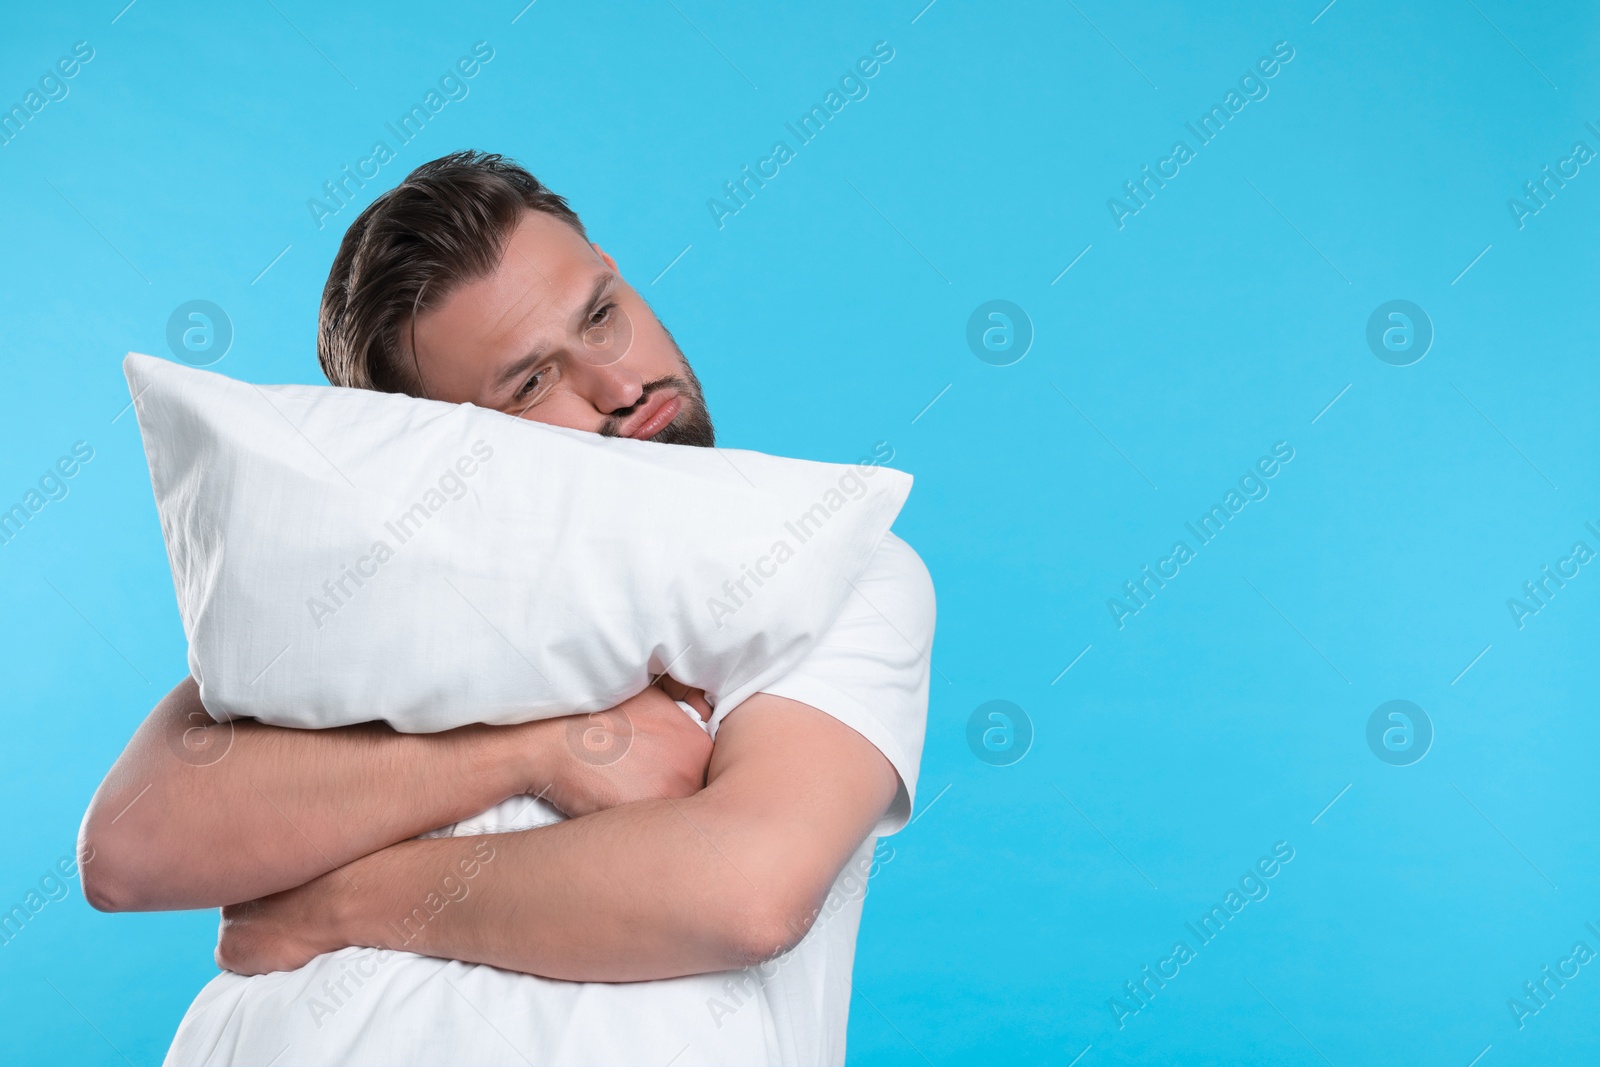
(642, 892)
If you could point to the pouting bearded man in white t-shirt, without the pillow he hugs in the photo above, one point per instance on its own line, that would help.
(617, 933)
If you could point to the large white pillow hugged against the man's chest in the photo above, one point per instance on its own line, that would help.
(346, 556)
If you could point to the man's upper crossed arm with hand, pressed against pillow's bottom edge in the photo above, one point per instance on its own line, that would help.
(199, 815)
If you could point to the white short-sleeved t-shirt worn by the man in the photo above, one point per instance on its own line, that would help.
(382, 1007)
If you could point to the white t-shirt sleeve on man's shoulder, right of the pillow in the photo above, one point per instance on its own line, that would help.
(871, 668)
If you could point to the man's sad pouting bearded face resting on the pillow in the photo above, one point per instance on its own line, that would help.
(554, 335)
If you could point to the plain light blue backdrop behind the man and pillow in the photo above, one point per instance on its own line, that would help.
(823, 319)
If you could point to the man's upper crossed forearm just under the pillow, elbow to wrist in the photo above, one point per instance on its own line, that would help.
(202, 815)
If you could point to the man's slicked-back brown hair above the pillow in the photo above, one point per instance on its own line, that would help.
(447, 223)
